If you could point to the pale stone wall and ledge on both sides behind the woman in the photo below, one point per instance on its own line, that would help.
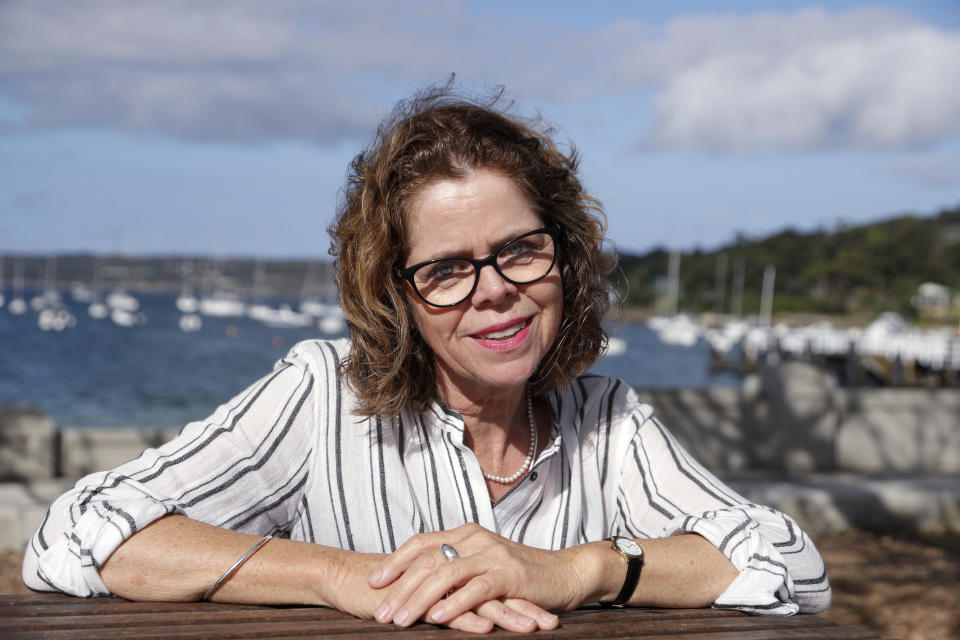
(788, 438)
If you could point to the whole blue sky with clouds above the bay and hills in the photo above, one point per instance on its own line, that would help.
(225, 127)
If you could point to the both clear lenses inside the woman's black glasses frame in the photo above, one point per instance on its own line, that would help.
(521, 261)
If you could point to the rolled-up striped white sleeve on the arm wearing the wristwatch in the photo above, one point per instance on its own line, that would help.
(780, 570)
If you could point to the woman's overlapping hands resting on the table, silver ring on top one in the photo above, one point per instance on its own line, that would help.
(499, 579)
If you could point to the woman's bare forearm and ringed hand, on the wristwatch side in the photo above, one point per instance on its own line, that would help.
(680, 571)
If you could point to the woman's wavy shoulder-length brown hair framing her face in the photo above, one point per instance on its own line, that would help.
(436, 135)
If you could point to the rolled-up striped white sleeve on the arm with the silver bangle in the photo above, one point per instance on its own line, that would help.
(244, 468)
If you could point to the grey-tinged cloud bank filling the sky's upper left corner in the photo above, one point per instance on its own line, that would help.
(238, 70)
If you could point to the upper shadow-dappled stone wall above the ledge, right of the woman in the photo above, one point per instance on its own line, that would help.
(794, 420)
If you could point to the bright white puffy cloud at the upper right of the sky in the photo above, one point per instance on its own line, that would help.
(866, 78)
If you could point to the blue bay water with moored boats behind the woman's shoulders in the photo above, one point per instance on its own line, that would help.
(100, 374)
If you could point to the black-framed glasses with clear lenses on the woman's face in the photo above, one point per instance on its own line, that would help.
(446, 282)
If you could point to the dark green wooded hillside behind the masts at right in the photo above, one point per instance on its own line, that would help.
(853, 269)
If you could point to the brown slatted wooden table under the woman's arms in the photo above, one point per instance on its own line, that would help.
(56, 616)
